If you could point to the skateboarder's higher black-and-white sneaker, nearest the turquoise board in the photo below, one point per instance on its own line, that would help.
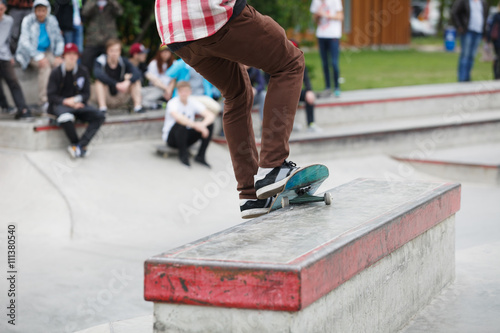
(269, 182)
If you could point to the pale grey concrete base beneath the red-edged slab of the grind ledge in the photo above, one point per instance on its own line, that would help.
(382, 299)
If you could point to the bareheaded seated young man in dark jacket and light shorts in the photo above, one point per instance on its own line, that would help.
(117, 80)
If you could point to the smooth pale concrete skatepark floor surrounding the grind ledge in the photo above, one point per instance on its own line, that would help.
(85, 228)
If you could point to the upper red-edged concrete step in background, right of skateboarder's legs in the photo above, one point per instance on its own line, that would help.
(387, 104)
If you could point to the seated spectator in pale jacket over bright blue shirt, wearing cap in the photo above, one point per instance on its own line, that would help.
(41, 45)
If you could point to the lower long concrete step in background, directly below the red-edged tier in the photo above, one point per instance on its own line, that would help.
(403, 135)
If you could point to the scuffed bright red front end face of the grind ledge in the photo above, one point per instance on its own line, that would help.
(217, 286)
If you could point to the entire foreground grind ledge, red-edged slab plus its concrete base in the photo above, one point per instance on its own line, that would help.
(371, 260)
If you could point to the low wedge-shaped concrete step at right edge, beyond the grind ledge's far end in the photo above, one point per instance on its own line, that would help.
(475, 163)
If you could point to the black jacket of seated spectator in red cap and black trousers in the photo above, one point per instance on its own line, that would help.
(60, 87)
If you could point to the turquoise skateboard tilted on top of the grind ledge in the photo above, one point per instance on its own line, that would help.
(300, 188)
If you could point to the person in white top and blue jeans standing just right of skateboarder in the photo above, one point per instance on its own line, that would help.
(329, 14)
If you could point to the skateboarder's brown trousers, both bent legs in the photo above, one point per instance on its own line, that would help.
(254, 40)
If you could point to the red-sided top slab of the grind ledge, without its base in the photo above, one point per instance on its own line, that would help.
(287, 260)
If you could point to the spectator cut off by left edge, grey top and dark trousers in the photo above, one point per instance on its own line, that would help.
(7, 67)
